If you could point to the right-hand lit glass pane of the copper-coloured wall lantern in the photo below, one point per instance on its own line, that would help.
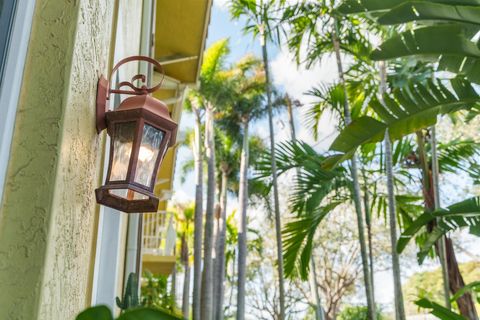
(148, 154)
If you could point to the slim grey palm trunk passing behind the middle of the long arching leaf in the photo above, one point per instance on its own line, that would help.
(392, 211)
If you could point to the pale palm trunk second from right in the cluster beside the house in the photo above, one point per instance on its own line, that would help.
(219, 289)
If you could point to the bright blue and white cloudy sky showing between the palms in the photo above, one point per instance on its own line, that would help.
(290, 78)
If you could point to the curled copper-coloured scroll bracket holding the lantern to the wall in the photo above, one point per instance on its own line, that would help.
(104, 90)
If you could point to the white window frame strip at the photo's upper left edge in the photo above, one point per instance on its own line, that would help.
(12, 79)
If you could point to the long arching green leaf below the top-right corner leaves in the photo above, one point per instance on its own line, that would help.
(405, 111)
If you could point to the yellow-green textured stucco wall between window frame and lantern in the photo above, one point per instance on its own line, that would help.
(47, 213)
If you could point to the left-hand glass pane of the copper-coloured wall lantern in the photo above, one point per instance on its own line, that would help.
(122, 150)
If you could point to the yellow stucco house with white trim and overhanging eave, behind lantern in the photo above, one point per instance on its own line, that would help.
(61, 252)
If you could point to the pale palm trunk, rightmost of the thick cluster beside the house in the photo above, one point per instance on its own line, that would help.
(242, 225)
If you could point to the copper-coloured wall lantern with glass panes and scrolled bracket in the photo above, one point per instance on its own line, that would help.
(141, 131)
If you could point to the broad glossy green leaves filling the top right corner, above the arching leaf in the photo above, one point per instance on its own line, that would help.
(449, 40)
